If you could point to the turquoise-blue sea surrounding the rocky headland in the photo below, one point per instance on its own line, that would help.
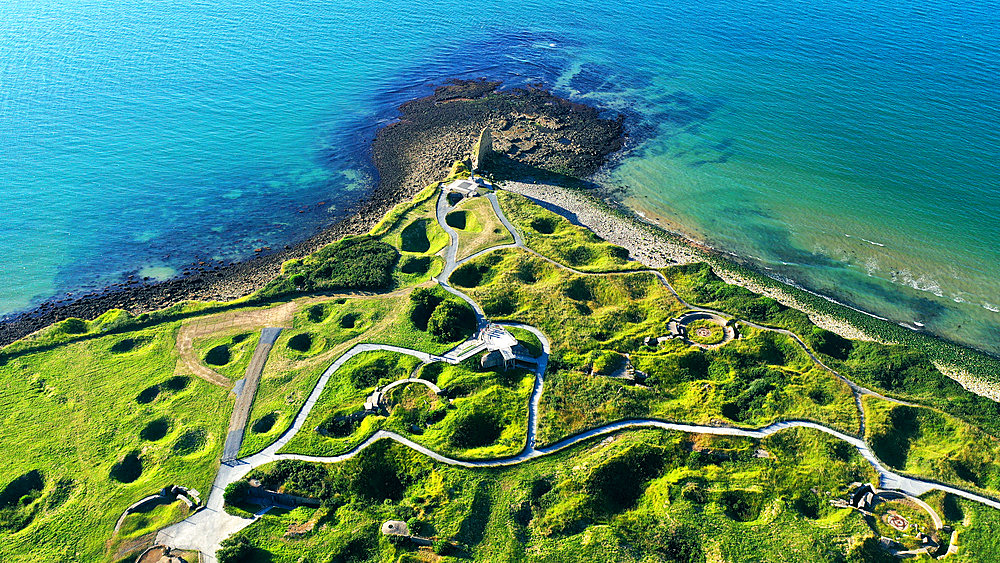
(852, 147)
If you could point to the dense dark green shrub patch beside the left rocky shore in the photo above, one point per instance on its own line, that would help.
(361, 262)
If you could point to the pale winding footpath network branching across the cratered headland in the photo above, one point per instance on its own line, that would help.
(205, 529)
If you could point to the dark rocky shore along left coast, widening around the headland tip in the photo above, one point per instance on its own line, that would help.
(535, 128)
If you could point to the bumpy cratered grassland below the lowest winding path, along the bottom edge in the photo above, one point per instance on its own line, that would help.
(642, 496)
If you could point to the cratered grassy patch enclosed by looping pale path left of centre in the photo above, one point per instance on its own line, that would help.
(486, 418)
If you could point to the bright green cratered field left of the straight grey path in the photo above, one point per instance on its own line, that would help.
(100, 424)
